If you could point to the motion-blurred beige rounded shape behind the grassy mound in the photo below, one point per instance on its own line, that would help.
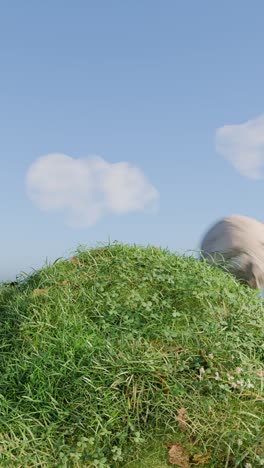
(237, 243)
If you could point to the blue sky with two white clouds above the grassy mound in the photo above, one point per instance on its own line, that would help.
(172, 90)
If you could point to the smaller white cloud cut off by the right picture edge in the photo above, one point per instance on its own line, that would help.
(243, 146)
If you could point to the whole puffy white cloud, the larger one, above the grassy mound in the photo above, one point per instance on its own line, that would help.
(84, 190)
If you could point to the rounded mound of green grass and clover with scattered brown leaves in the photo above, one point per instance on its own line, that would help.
(99, 355)
